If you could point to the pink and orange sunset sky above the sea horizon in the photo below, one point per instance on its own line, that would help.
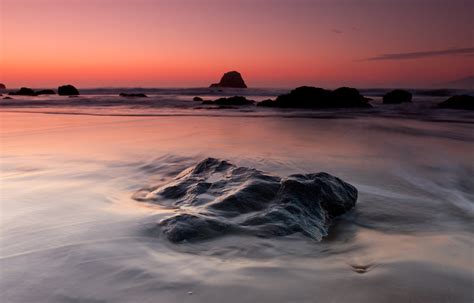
(273, 43)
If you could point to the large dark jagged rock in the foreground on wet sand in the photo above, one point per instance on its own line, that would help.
(216, 198)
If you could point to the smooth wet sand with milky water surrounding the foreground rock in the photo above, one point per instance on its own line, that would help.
(71, 232)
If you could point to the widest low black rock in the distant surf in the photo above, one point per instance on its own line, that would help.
(315, 97)
